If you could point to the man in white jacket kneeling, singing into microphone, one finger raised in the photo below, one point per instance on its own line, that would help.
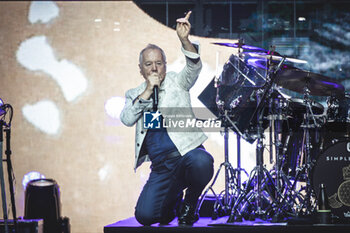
(178, 159)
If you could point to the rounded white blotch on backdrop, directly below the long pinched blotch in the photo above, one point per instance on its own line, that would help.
(44, 115)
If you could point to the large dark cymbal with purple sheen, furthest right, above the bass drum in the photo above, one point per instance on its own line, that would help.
(295, 80)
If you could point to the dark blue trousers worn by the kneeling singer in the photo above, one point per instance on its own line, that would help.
(164, 187)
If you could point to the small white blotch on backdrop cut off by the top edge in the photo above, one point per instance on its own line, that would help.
(42, 11)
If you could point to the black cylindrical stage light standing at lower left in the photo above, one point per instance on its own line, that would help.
(42, 201)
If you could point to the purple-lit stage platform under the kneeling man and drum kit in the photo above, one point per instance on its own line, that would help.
(207, 225)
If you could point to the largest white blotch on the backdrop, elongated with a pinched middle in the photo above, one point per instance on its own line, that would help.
(37, 55)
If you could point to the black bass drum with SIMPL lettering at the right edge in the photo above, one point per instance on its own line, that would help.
(333, 169)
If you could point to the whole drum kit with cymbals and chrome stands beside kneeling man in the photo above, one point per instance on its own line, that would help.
(309, 144)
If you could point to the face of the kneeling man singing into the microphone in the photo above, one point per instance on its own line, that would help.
(152, 63)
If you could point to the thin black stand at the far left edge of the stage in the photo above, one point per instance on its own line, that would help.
(9, 170)
